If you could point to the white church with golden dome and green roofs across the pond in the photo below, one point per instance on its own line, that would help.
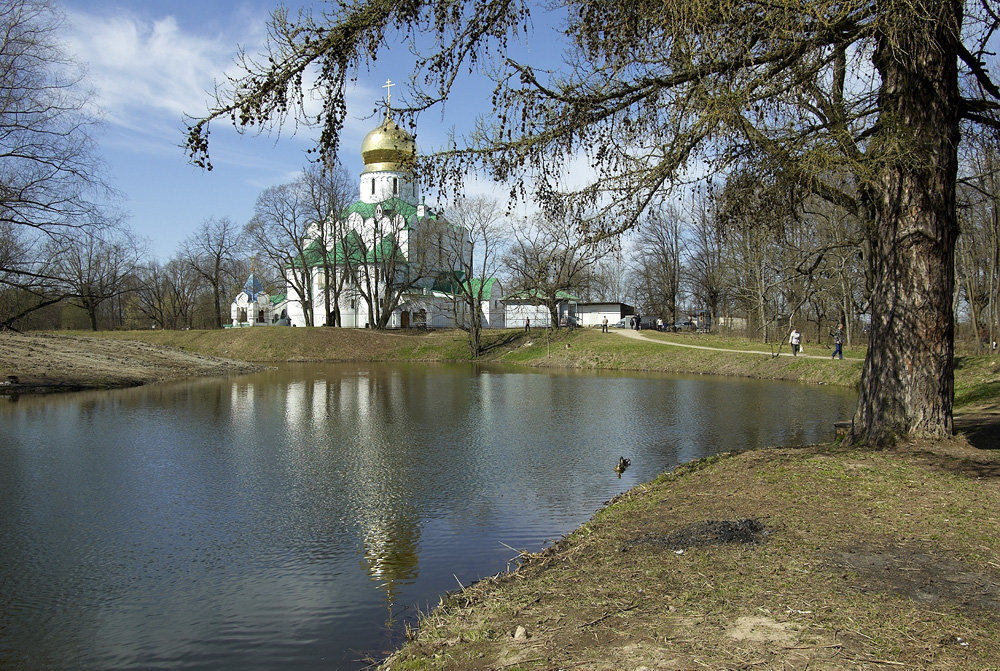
(389, 220)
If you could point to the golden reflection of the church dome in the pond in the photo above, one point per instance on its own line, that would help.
(390, 551)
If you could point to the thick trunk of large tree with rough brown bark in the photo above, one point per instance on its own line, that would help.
(907, 385)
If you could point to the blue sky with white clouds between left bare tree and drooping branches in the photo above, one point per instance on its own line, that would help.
(150, 62)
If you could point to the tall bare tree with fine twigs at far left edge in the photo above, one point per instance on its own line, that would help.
(49, 172)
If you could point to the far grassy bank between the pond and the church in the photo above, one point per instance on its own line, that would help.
(977, 377)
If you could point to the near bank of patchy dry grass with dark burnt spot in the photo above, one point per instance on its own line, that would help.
(819, 558)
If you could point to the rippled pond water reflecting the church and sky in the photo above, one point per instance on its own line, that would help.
(296, 518)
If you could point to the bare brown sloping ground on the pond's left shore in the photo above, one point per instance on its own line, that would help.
(44, 362)
